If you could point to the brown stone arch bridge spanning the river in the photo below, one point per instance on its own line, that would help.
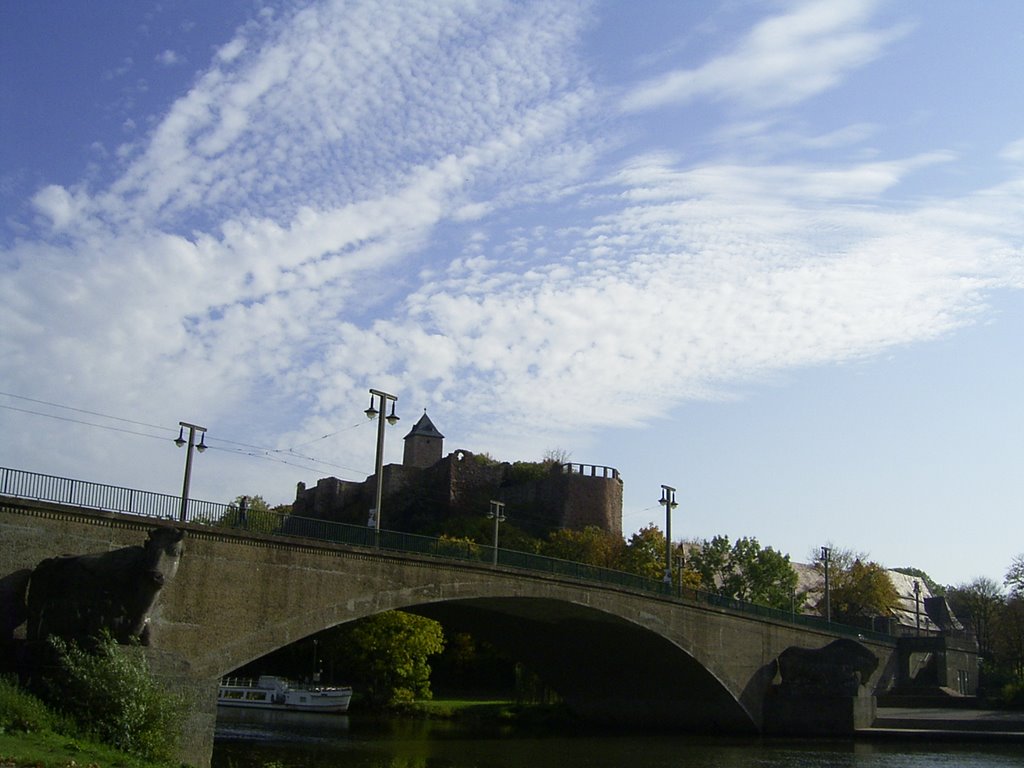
(613, 654)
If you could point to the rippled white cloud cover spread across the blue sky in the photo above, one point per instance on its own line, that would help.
(417, 199)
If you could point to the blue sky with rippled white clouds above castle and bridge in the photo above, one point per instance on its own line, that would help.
(769, 253)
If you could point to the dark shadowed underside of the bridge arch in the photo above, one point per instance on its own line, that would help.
(606, 669)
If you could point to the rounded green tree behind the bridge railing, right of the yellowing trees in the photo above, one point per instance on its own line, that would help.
(745, 572)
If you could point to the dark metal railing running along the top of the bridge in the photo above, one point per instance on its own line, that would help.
(36, 487)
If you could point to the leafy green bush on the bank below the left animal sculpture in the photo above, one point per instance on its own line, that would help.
(108, 692)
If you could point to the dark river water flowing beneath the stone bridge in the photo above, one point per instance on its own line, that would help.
(263, 740)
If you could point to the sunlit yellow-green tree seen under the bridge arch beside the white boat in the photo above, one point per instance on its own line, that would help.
(390, 655)
